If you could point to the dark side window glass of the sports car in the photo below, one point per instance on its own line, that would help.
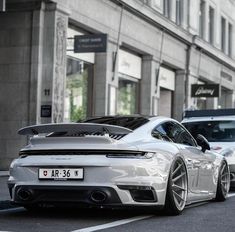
(171, 131)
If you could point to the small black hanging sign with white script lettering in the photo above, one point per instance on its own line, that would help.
(205, 90)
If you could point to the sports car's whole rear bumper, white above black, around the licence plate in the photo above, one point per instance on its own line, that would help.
(118, 181)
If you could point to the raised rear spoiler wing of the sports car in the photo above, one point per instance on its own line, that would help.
(73, 127)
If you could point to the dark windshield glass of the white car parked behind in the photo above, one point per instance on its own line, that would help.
(214, 131)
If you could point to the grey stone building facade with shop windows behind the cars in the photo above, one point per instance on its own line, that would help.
(156, 50)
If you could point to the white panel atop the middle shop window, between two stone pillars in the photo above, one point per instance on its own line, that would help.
(129, 64)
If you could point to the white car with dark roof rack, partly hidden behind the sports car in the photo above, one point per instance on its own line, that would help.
(218, 127)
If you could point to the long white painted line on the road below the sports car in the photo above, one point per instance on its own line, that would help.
(113, 224)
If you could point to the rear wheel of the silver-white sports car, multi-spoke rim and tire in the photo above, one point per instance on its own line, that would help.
(177, 188)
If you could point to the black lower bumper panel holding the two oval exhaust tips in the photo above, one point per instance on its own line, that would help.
(27, 194)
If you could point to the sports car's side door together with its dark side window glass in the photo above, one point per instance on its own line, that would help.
(198, 164)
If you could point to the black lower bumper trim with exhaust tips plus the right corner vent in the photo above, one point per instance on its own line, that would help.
(79, 195)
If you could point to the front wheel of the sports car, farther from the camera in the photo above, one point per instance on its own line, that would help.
(223, 184)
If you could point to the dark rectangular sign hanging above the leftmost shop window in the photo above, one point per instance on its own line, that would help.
(90, 43)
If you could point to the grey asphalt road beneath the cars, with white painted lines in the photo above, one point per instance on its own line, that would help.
(206, 217)
